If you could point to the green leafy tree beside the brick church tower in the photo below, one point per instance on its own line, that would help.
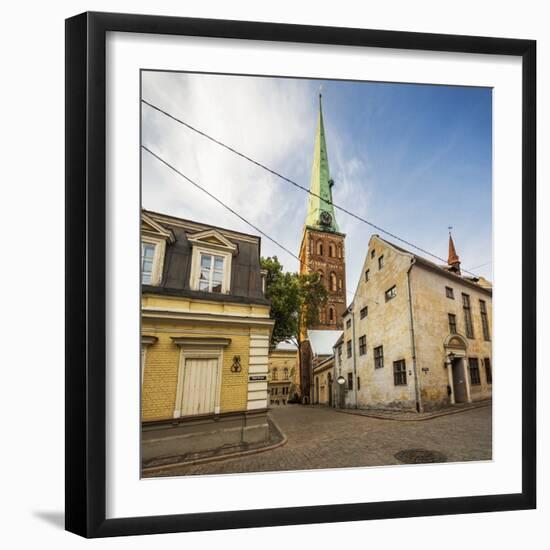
(295, 300)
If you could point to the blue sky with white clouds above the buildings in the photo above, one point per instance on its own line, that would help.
(413, 159)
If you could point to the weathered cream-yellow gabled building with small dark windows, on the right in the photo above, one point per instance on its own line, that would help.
(417, 335)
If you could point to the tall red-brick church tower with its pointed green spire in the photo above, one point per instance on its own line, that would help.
(322, 248)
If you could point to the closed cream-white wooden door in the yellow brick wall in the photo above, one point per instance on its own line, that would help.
(199, 386)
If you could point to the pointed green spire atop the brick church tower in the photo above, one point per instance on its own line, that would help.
(320, 212)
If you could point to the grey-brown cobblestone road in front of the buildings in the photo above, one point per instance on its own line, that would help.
(320, 437)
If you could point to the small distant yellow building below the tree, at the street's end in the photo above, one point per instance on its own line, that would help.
(284, 374)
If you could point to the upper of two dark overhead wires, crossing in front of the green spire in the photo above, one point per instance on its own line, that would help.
(279, 175)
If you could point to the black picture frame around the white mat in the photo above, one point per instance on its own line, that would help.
(86, 268)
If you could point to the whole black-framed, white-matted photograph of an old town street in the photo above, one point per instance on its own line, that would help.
(300, 274)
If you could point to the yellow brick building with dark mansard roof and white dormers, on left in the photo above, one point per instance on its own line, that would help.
(205, 340)
